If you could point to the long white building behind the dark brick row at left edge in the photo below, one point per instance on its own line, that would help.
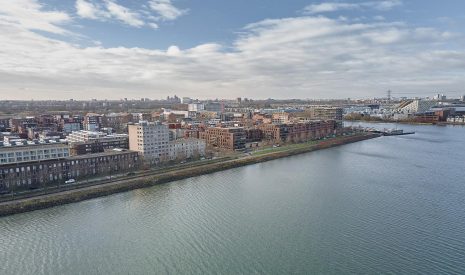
(32, 151)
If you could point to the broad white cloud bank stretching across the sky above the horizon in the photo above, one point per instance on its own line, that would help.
(306, 57)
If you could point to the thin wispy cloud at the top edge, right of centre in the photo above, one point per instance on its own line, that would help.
(337, 6)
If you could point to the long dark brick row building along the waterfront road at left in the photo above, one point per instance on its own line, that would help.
(34, 174)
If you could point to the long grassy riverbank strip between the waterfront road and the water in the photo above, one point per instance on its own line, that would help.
(159, 177)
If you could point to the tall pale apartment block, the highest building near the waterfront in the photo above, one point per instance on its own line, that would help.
(150, 139)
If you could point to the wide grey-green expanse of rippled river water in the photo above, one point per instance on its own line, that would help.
(391, 204)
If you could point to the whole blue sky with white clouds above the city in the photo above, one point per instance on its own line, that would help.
(113, 49)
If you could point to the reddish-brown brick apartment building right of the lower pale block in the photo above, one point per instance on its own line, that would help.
(232, 138)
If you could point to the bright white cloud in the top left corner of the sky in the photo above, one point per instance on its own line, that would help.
(30, 14)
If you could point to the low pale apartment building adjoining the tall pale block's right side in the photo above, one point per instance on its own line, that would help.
(186, 148)
